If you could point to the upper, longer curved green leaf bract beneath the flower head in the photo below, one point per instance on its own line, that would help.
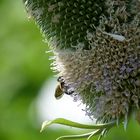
(75, 124)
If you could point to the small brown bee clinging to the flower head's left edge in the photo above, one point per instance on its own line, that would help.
(62, 89)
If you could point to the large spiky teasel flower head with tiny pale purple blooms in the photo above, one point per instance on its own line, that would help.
(96, 45)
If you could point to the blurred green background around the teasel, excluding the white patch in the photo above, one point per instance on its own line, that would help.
(24, 67)
